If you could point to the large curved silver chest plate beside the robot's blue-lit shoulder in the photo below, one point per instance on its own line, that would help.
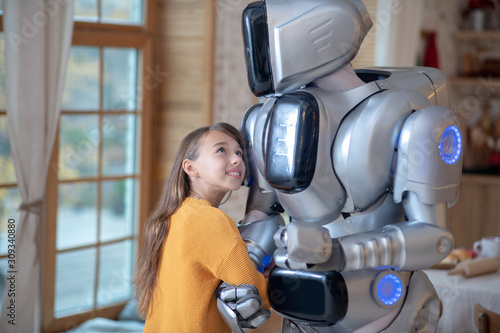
(363, 154)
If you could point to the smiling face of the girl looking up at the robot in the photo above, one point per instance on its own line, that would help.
(219, 167)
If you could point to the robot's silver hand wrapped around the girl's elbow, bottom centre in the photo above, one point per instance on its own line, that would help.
(240, 306)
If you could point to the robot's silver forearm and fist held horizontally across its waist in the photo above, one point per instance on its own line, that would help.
(405, 245)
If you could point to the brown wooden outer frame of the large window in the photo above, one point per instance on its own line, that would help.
(102, 35)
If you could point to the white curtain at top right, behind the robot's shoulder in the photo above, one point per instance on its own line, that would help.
(399, 25)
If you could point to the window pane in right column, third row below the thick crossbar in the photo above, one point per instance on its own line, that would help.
(117, 209)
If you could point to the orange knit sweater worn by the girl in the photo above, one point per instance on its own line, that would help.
(203, 247)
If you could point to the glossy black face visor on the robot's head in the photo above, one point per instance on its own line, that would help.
(256, 42)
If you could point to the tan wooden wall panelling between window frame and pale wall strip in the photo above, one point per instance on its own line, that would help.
(185, 73)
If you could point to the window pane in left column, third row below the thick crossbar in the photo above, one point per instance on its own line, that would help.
(77, 215)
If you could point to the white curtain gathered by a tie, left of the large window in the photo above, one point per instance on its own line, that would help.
(37, 41)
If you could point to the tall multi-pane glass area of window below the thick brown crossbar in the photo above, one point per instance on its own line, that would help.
(98, 178)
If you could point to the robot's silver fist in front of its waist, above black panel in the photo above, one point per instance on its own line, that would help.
(307, 246)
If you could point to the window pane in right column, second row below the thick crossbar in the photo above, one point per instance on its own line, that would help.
(119, 145)
